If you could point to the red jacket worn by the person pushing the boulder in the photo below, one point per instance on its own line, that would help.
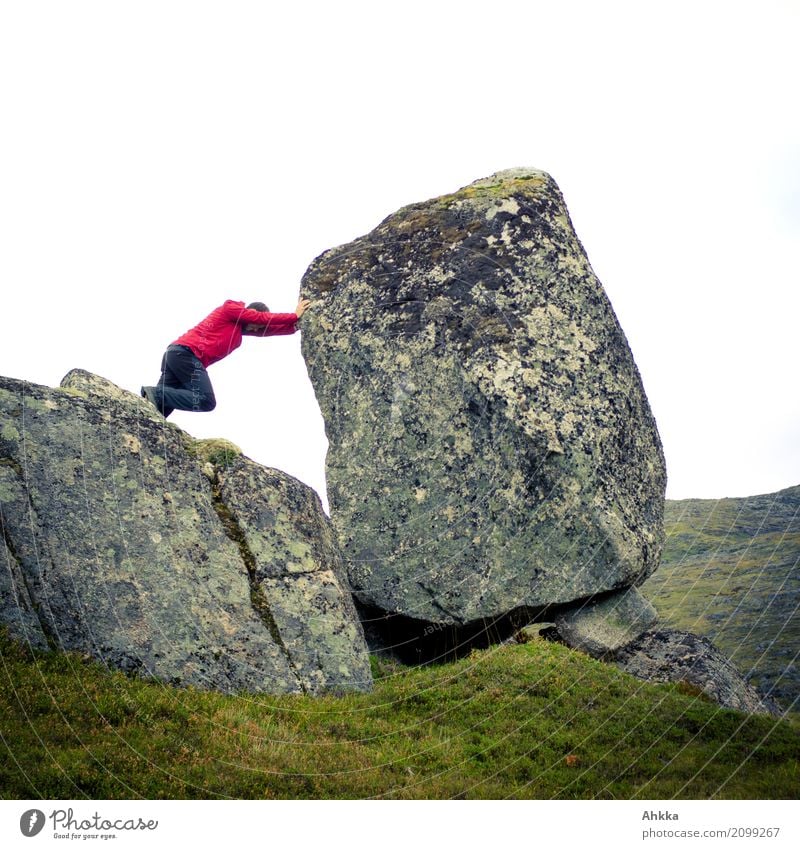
(220, 333)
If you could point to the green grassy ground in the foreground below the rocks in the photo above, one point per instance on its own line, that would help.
(533, 720)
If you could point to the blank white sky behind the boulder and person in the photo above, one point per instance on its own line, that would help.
(159, 157)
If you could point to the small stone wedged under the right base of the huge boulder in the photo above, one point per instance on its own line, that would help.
(602, 626)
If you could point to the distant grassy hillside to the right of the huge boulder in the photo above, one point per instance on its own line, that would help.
(730, 572)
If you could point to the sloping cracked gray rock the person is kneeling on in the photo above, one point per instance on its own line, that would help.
(125, 539)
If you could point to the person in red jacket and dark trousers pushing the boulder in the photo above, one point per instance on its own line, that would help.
(184, 383)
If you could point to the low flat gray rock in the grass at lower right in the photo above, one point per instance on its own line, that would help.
(663, 655)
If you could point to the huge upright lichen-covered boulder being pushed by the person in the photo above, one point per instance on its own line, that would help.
(490, 443)
